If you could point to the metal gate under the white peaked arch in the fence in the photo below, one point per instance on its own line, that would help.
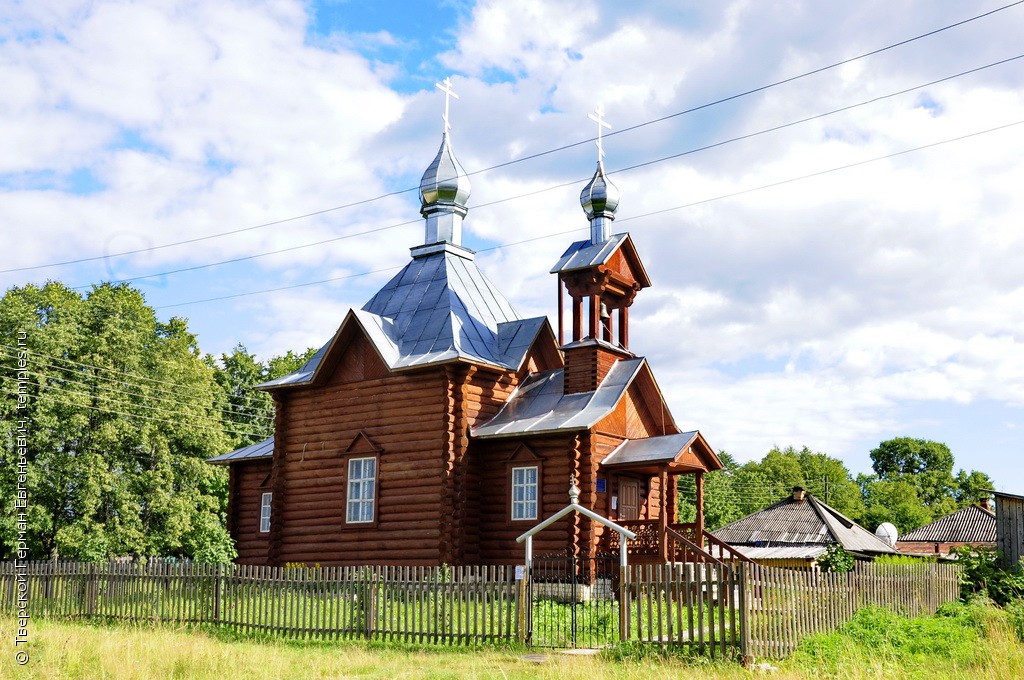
(574, 603)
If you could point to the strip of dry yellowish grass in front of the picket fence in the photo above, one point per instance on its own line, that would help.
(76, 651)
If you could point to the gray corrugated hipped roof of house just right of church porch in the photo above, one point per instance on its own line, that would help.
(801, 523)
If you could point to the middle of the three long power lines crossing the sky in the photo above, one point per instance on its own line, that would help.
(575, 182)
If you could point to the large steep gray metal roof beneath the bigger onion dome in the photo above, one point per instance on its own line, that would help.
(439, 309)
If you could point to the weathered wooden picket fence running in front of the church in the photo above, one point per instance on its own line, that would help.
(742, 611)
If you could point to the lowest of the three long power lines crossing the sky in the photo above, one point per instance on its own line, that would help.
(635, 218)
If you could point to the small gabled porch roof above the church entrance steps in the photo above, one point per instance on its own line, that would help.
(688, 452)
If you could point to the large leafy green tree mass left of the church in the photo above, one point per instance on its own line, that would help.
(122, 413)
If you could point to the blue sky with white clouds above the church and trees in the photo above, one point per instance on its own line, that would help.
(834, 312)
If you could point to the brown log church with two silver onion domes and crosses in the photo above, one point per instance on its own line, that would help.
(437, 426)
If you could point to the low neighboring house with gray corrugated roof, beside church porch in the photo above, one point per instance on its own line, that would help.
(797, 531)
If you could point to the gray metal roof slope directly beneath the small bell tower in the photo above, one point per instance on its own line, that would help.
(539, 404)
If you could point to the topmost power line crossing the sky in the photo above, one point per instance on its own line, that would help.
(732, 98)
